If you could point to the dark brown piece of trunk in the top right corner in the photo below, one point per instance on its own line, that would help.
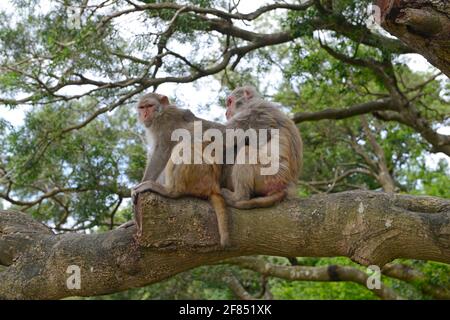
(423, 25)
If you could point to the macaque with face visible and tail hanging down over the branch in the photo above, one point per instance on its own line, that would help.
(198, 180)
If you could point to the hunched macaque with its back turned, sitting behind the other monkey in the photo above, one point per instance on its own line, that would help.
(247, 110)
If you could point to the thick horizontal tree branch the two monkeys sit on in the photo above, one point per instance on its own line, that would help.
(176, 235)
